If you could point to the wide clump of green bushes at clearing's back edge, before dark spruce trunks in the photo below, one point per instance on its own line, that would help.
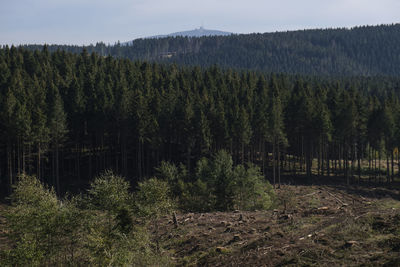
(218, 185)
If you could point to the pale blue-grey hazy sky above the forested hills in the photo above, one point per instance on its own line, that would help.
(84, 22)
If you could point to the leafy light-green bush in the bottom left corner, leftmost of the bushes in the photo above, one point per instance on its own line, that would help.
(33, 219)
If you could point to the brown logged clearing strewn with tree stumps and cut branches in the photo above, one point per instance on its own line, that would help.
(312, 225)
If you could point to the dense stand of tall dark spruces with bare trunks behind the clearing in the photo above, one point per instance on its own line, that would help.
(67, 117)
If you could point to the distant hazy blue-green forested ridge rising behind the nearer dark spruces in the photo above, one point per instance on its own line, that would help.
(367, 51)
